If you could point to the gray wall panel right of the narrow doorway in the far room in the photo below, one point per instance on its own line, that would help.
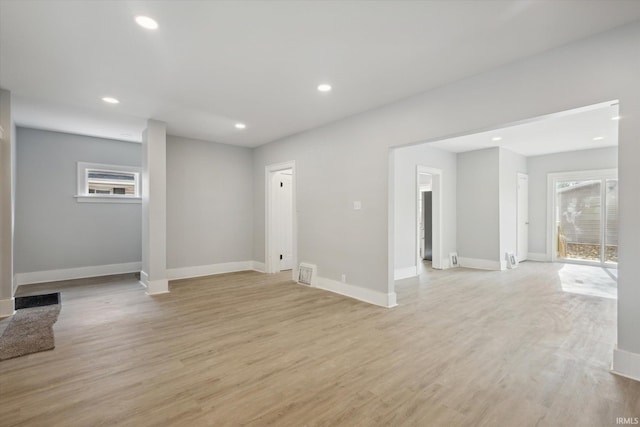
(478, 205)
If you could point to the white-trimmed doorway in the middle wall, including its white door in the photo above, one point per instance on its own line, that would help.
(281, 236)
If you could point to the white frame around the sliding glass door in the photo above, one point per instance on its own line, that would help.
(552, 178)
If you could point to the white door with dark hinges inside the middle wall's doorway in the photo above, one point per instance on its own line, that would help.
(283, 217)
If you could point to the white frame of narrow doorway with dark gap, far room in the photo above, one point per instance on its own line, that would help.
(436, 219)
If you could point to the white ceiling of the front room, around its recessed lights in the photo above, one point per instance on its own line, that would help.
(214, 63)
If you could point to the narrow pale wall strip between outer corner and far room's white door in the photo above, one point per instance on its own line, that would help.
(510, 164)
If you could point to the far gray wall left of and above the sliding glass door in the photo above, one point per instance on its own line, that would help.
(540, 166)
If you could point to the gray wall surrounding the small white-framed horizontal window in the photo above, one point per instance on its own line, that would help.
(52, 230)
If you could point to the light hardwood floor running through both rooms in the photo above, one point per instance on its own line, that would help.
(463, 348)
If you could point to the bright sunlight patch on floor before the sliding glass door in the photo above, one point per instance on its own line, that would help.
(589, 280)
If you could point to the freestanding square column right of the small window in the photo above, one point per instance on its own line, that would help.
(154, 208)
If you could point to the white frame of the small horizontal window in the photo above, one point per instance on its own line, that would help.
(83, 195)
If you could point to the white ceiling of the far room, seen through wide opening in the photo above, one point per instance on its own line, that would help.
(565, 131)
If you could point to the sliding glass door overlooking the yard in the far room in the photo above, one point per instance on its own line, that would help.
(586, 217)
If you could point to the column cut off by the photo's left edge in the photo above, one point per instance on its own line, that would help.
(7, 187)
